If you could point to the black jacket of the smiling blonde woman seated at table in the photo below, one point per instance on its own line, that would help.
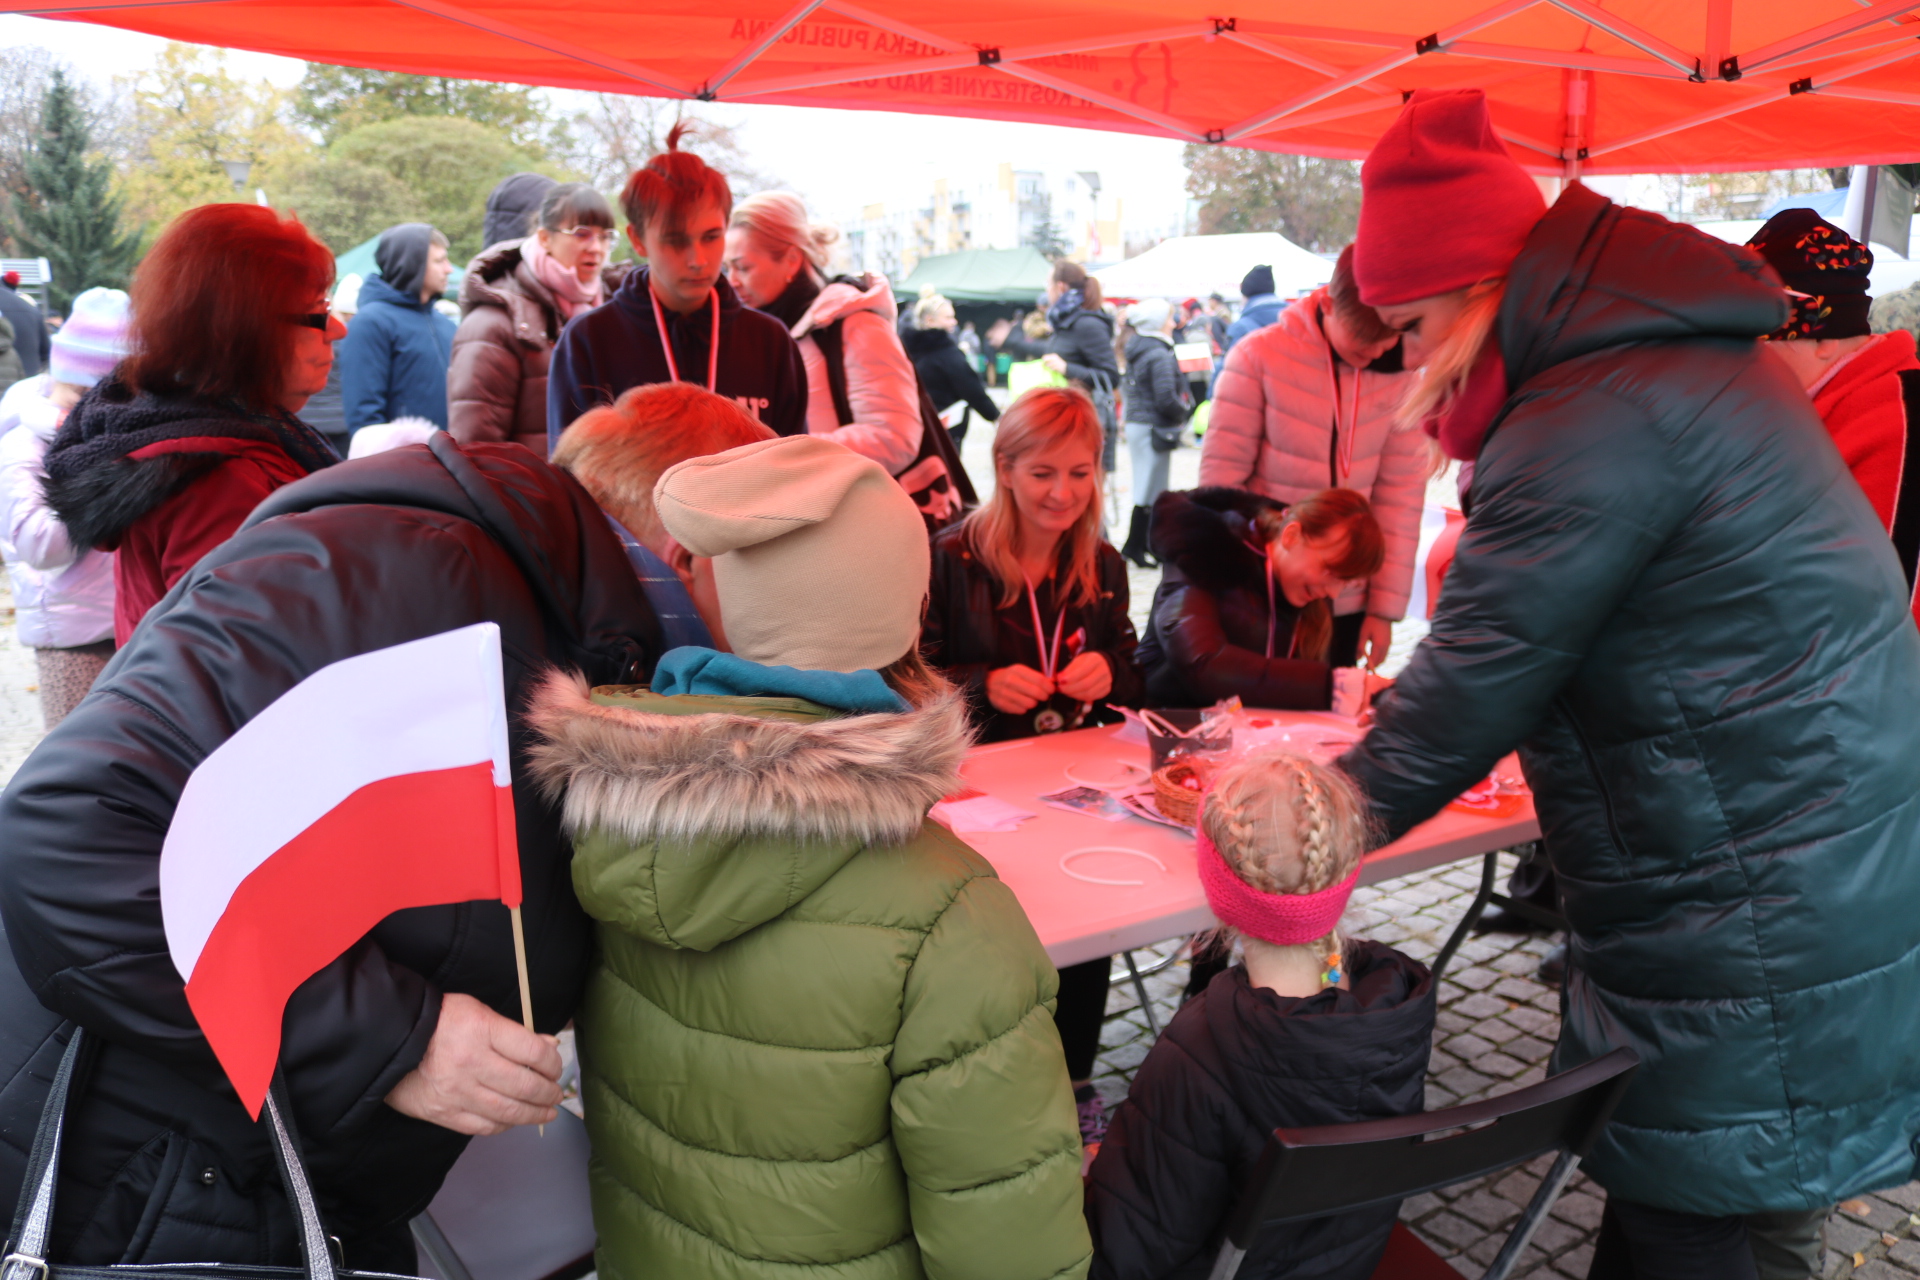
(967, 634)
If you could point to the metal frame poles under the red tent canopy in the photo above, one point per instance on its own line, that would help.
(1764, 70)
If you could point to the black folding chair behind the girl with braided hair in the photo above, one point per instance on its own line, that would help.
(1308, 1173)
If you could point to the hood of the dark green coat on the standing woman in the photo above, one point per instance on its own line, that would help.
(1623, 275)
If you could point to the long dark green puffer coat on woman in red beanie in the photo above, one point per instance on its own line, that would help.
(1679, 605)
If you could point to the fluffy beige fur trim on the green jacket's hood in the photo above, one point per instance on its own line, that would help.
(721, 776)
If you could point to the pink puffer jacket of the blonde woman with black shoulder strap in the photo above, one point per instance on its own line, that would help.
(880, 381)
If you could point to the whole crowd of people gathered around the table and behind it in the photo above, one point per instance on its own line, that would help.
(754, 621)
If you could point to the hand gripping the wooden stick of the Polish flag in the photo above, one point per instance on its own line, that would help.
(483, 1074)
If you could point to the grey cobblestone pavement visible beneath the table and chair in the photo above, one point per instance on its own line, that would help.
(1495, 1031)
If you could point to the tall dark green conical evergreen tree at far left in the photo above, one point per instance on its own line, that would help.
(72, 216)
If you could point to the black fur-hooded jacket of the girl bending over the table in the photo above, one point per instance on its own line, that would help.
(1209, 636)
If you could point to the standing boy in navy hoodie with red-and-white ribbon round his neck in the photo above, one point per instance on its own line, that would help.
(677, 320)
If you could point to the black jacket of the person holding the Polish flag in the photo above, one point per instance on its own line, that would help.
(360, 557)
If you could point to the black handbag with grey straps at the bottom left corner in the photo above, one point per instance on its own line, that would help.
(34, 1220)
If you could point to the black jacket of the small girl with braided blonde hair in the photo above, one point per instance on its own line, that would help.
(1236, 1064)
